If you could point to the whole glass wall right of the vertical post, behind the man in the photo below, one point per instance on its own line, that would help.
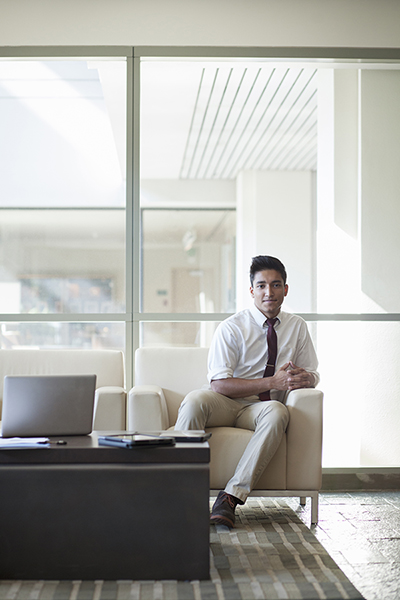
(307, 156)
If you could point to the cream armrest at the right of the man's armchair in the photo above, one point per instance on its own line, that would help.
(304, 439)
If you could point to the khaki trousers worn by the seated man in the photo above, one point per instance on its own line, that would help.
(268, 420)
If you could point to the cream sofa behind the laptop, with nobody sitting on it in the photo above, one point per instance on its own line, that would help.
(108, 365)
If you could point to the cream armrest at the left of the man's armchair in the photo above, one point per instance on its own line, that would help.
(147, 409)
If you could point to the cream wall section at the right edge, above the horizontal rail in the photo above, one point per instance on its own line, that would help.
(380, 185)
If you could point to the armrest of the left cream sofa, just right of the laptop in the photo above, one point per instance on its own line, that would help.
(110, 408)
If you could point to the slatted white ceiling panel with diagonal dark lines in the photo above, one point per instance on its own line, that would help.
(251, 118)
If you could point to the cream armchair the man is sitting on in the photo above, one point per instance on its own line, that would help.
(163, 376)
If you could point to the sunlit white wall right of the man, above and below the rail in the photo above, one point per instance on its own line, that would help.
(358, 248)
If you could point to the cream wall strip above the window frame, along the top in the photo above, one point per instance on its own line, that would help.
(355, 23)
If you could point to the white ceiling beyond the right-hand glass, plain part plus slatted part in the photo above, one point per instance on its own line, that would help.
(211, 121)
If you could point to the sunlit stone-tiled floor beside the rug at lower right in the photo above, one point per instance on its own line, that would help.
(361, 531)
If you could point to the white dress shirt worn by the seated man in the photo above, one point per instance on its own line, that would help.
(239, 346)
